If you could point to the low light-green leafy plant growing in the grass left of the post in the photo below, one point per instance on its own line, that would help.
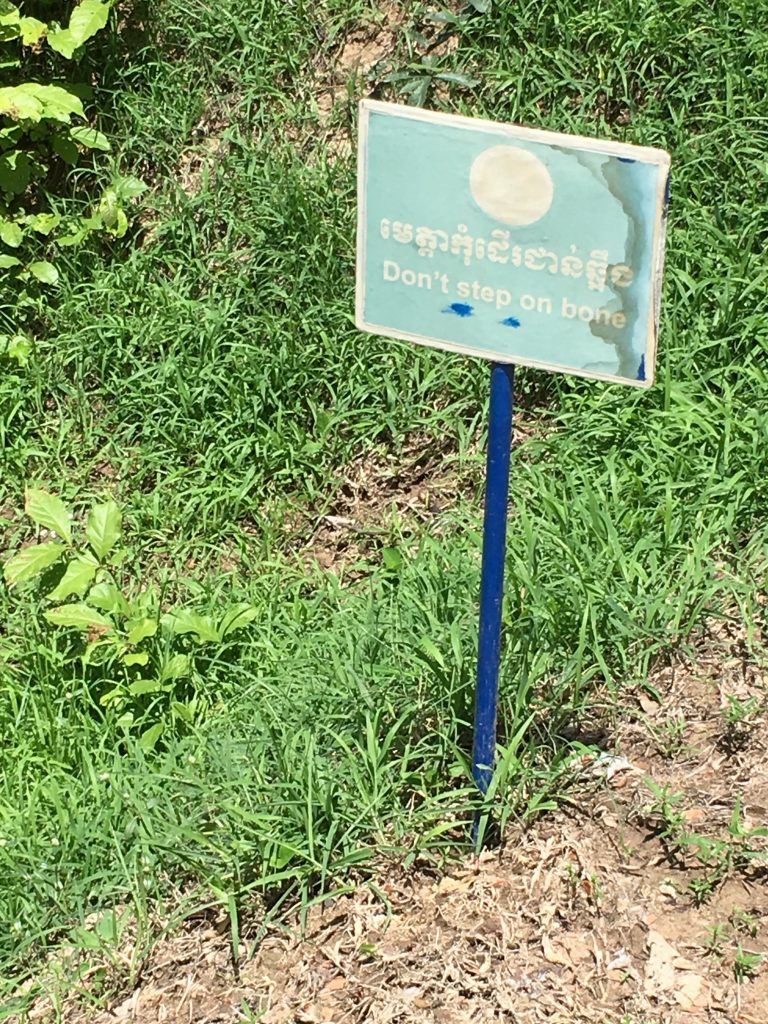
(143, 664)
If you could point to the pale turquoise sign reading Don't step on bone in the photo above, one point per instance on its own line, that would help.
(513, 244)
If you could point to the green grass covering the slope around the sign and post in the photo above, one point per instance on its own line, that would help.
(208, 374)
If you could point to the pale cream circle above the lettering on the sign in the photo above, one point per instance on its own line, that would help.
(511, 185)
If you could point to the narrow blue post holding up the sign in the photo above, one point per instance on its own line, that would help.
(492, 585)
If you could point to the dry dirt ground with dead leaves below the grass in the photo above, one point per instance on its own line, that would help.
(613, 911)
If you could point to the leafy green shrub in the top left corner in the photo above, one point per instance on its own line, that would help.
(44, 129)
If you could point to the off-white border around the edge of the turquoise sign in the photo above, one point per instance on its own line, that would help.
(629, 151)
